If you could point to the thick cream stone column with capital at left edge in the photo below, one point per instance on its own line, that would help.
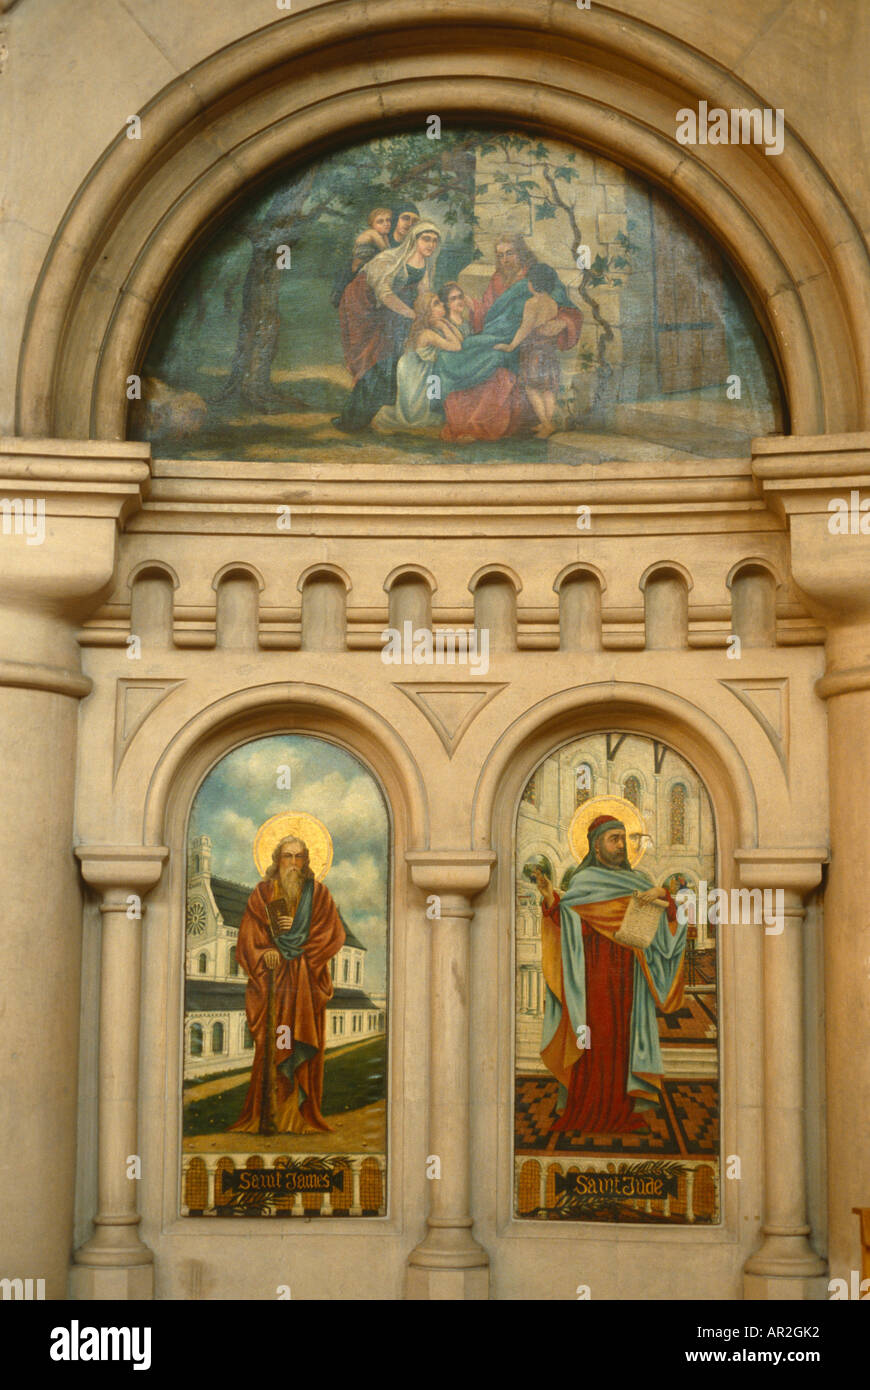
(62, 507)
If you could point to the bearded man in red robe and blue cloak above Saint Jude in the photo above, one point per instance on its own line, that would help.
(608, 989)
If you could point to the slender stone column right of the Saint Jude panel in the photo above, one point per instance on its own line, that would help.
(786, 1267)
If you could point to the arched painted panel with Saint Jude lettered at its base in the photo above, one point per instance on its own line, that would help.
(618, 1089)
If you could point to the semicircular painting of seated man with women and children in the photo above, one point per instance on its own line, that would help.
(480, 297)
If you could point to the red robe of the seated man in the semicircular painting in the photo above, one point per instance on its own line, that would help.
(500, 407)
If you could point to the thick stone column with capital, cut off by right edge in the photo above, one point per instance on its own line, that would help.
(819, 487)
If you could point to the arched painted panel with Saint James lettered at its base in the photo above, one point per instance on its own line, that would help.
(287, 986)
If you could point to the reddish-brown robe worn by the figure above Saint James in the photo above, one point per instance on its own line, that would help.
(302, 990)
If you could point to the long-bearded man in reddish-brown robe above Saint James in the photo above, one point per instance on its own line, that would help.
(311, 933)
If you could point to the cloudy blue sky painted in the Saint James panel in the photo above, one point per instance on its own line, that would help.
(326, 782)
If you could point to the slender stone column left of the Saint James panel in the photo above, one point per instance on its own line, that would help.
(115, 1263)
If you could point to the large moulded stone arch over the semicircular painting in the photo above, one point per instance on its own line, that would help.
(142, 211)
